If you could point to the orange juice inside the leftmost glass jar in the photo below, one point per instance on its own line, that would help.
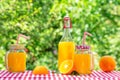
(16, 62)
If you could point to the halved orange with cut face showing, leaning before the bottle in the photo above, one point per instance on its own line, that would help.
(66, 67)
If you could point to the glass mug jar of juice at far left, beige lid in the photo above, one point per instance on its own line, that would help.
(15, 58)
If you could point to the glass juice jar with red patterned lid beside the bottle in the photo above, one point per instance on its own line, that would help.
(83, 60)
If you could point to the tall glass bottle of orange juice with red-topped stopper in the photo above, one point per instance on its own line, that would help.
(66, 46)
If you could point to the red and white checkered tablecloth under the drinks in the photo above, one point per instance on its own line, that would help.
(27, 75)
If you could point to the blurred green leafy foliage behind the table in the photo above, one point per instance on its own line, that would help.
(42, 20)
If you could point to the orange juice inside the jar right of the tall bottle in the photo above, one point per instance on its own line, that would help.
(83, 63)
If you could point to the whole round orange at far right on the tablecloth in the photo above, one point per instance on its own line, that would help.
(107, 63)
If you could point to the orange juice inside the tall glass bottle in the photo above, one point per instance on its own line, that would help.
(65, 51)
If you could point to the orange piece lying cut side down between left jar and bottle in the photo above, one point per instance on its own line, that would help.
(40, 70)
